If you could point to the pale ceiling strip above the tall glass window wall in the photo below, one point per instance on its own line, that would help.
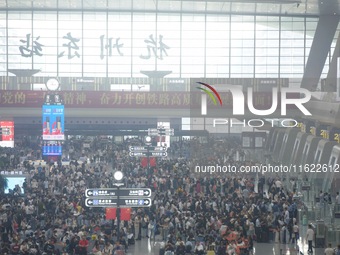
(243, 7)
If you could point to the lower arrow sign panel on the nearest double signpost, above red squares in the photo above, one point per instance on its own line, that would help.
(123, 202)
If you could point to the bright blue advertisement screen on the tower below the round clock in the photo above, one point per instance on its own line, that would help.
(53, 122)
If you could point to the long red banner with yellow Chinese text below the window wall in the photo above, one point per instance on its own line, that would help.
(124, 99)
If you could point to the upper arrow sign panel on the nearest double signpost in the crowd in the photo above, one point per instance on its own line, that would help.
(123, 192)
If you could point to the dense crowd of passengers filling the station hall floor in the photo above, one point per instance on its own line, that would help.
(190, 213)
